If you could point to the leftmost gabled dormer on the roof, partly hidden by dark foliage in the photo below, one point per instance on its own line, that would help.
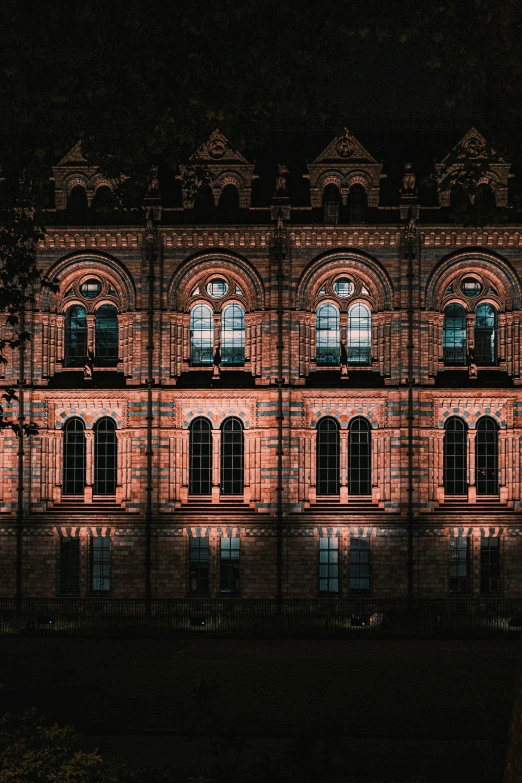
(76, 182)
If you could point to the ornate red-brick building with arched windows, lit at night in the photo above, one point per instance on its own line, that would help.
(306, 381)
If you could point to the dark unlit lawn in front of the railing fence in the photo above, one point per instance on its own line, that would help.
(362, 710)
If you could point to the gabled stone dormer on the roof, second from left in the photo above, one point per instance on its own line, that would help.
(231, 174)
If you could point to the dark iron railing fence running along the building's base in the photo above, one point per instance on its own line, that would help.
(234, 617)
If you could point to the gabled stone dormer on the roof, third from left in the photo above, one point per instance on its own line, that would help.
(345, 162)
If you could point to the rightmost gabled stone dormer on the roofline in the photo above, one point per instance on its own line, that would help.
(473, 152)
